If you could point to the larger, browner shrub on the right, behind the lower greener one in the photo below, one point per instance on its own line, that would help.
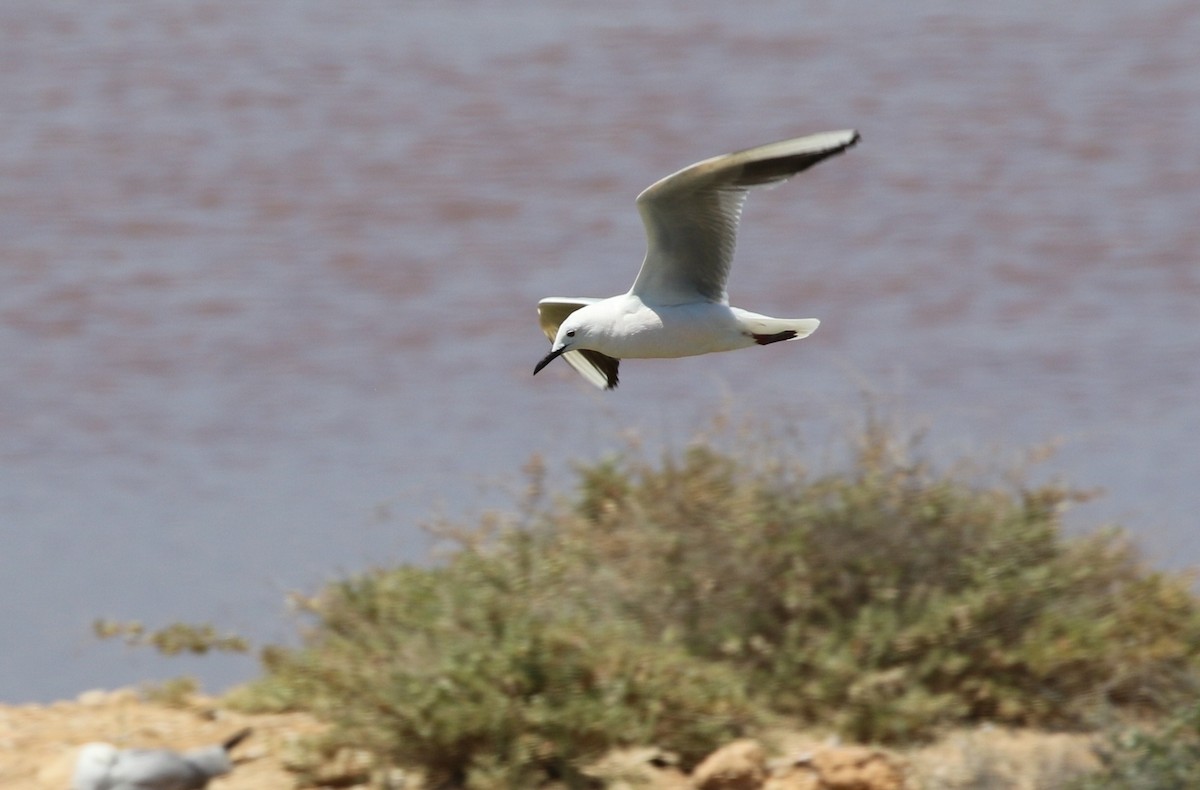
(886, 601)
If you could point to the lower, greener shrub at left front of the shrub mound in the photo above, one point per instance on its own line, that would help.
(484, 674)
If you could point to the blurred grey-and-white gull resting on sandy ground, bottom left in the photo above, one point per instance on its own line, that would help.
(103, 767)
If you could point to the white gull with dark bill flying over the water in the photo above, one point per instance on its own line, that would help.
(679, 306)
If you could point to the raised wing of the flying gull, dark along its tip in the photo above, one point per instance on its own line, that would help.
(692, 217)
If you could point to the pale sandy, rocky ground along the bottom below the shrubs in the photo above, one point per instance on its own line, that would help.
(39, 745)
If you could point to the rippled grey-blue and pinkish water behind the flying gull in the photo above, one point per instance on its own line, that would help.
(268, 271)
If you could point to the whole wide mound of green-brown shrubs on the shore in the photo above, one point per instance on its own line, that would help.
(663, 602)
